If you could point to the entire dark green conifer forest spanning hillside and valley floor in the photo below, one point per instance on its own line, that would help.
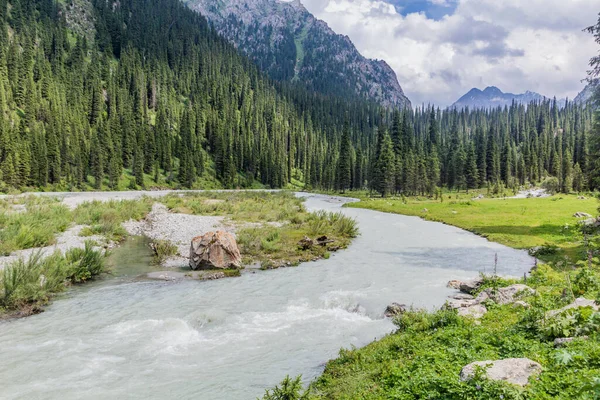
(141, 93)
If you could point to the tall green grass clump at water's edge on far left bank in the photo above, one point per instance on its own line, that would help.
(26, 286)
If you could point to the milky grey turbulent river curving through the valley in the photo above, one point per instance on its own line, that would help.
(232, 338)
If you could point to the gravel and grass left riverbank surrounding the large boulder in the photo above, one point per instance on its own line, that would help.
(268, 225)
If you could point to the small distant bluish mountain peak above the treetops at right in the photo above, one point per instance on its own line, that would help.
(492, 97)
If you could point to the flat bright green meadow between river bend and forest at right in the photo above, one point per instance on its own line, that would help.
(518, 223)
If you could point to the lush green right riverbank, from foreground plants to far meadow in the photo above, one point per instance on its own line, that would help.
(425, 356)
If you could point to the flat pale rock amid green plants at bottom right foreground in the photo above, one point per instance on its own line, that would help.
(512, 370)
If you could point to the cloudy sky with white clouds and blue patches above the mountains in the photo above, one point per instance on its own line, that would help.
(440, 49)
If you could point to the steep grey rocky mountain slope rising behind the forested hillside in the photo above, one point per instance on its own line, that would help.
(290, 44)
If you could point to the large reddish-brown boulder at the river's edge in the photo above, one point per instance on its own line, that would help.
(215, 250)
